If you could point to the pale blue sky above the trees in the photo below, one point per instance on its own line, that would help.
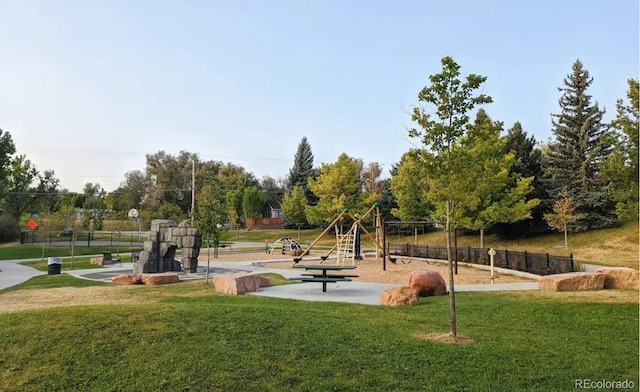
(87, 88)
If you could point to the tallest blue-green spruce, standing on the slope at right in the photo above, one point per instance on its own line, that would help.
(572, 161)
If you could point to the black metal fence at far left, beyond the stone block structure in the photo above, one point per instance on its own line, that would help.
(82, 238)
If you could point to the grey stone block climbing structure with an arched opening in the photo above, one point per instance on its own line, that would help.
(165, 238)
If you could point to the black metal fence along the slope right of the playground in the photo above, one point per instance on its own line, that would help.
(535, 263)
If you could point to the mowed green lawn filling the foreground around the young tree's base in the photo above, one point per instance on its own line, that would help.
(184, 337)
